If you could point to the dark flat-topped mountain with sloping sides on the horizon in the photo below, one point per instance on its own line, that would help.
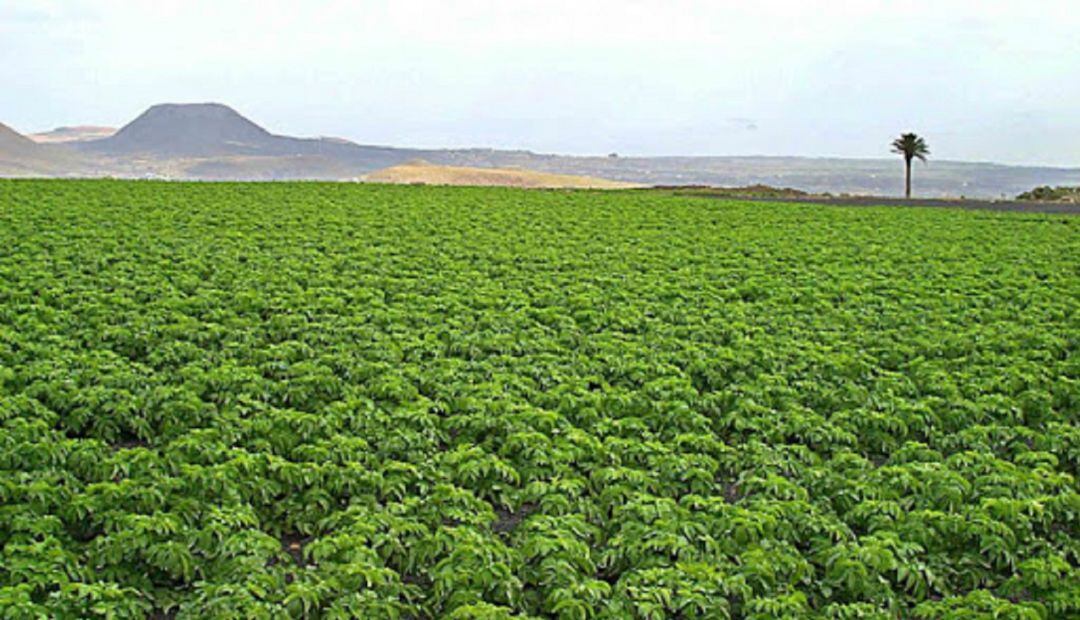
(171, 131)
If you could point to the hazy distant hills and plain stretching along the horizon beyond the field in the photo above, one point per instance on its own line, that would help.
(213, 142)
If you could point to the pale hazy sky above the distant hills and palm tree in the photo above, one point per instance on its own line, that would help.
(981, 80)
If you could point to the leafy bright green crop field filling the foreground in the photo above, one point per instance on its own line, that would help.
(349, 401)
